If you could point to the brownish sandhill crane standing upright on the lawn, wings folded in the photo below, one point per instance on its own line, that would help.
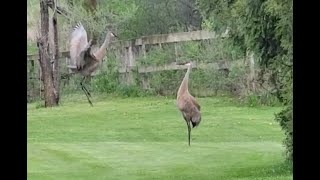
(187, 104)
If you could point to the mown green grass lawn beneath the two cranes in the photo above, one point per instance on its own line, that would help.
(146, 138)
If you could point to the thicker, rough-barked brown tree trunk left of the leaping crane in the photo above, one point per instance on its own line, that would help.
(44, 60)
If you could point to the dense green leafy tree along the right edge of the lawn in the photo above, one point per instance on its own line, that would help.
(264, 27)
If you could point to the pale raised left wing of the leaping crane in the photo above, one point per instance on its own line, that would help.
(78, 42)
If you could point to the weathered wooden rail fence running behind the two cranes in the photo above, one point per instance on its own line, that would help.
(128, 50)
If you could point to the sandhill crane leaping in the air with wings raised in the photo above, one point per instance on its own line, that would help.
(83, 58)
